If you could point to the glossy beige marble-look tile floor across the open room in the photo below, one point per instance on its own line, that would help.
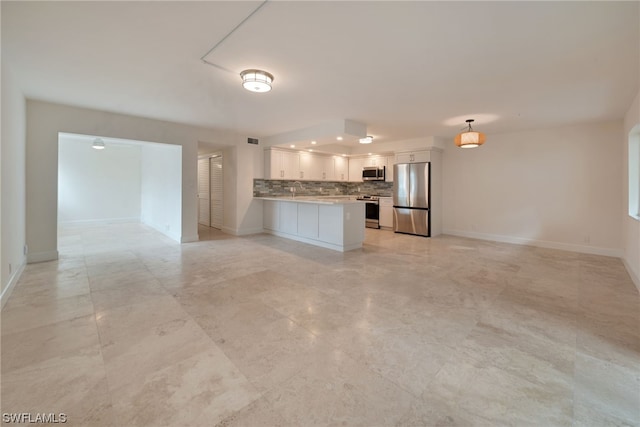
(129, 328)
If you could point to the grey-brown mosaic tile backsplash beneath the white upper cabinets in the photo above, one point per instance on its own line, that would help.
(278, 187)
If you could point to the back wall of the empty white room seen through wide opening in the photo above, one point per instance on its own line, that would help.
(98, 185)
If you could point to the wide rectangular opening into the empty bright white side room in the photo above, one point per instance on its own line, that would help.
(105, 180)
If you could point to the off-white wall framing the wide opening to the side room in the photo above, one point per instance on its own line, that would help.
(45, 120)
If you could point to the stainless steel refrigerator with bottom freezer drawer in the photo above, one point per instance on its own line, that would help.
(411, 198)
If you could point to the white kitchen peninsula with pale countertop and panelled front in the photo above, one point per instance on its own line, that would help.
(333, 222)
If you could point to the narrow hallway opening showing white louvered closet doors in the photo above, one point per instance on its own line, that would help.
(210, 191)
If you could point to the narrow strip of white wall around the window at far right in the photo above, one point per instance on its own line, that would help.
(630, 226)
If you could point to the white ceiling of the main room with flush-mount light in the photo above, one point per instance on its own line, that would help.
(404, 69)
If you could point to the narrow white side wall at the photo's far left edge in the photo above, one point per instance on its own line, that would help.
(12, 183)
